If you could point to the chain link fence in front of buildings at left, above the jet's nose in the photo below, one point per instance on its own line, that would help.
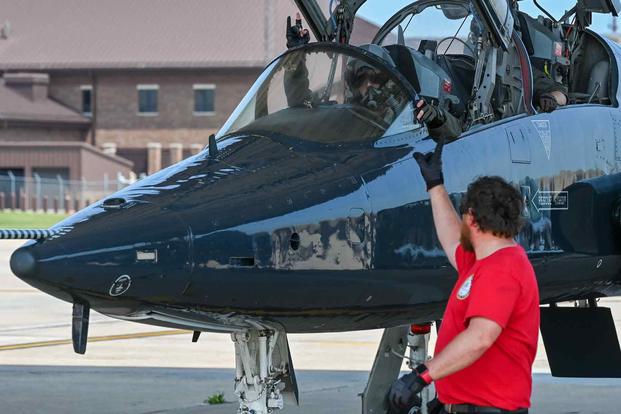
(54, 195)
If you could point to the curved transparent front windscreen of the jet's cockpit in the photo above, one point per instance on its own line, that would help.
(324, 95)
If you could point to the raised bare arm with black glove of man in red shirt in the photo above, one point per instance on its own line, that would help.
(445, 218)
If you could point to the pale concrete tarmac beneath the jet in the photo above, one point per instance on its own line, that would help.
(139, 369)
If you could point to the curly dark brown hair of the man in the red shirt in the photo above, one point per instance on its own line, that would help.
(495, 205)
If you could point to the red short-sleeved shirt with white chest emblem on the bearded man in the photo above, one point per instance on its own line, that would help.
(501, 287)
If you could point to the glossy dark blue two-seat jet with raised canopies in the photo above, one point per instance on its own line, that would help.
(307, 213)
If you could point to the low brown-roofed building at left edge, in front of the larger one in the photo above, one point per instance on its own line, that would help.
(40, 137)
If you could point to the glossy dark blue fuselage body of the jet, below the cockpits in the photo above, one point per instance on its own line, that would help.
(320, 238)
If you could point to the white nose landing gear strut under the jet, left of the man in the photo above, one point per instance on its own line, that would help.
(263, 371)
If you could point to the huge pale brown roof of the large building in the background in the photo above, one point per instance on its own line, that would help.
(138, 34)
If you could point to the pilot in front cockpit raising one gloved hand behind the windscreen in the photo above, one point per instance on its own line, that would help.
(366, 87)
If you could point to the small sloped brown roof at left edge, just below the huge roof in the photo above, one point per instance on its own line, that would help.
(15, 106)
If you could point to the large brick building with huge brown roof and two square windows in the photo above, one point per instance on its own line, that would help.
(146, 81)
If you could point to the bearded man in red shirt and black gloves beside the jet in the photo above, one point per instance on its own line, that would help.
(488, 338)
